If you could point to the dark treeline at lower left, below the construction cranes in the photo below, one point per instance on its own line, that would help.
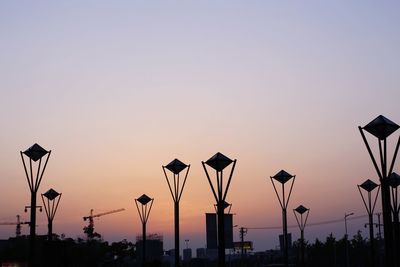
(68, 252)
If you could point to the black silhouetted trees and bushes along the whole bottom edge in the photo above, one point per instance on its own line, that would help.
(69, 252)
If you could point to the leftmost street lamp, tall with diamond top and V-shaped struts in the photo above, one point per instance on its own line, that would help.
(34, 175)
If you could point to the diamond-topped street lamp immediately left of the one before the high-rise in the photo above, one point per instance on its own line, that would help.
(176, 189)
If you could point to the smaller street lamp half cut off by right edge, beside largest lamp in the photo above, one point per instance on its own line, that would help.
(394, 182)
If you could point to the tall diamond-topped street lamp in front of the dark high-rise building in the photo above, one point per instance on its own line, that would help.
(219, 162)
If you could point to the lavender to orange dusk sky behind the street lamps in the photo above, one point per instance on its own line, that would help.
(117, 89)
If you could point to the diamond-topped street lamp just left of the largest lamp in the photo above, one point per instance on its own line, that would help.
(369, 204)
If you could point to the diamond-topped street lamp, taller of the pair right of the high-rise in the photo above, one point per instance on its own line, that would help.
(282, 177)
